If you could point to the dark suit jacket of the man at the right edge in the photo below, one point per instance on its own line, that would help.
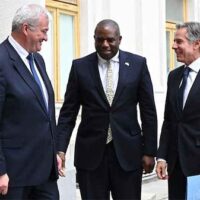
(180, 136)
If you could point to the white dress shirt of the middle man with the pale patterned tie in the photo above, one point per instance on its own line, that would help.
(102, 65)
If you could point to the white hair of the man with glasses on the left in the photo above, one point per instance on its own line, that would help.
(29, 14)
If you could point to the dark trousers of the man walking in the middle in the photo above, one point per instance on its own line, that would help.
(109, 177)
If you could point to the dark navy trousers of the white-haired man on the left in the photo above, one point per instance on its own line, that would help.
(46, 191)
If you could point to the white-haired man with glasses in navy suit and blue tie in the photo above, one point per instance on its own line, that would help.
(28, 163)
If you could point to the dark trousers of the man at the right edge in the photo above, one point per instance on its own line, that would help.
(177, 184)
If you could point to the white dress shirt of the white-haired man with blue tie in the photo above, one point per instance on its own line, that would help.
(23, 55)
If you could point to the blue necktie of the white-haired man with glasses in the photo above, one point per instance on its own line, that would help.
(35, 76)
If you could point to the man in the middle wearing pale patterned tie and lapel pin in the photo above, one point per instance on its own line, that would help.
(112, 149)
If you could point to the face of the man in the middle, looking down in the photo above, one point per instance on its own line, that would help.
(107, 41)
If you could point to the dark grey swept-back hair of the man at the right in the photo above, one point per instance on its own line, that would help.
(193, 30)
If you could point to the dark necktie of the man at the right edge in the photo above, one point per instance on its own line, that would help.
(186, 72)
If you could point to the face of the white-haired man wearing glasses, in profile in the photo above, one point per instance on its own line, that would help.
(36, 35)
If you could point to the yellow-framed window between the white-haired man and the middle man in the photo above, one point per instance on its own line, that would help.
(63, 42)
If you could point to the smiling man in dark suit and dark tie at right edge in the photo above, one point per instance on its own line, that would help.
(179, 149)
